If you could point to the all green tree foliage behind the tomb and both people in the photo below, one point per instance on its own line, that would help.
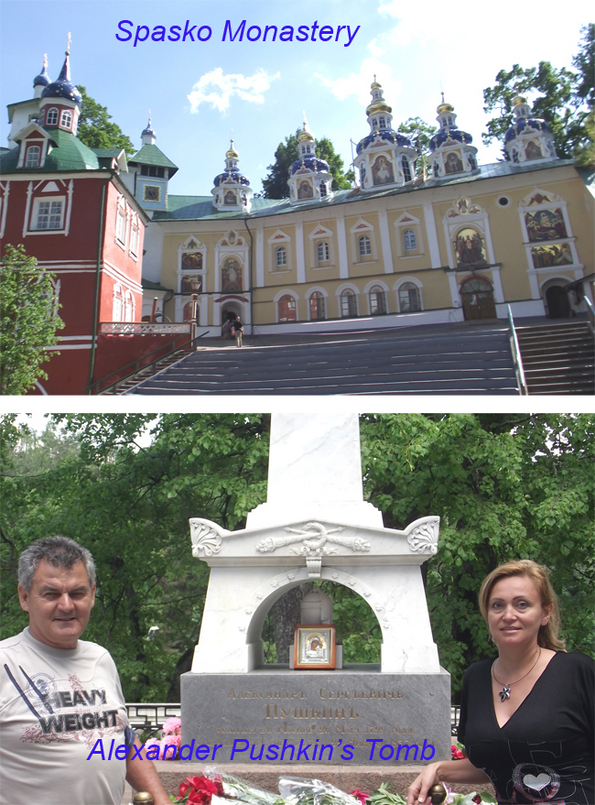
(503, 485)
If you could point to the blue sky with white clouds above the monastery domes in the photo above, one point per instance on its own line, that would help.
(199, 93)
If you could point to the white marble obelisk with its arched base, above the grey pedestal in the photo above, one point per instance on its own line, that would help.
(315, 524)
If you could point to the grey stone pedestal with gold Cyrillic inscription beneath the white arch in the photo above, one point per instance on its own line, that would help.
(354, 716)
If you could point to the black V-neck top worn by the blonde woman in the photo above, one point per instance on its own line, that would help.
(543, 755)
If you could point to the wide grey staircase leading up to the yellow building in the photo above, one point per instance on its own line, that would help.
(418, 360)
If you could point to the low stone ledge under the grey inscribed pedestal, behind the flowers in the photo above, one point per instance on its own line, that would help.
(345, 777)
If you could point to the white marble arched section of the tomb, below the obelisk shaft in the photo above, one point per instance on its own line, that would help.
(251, 569)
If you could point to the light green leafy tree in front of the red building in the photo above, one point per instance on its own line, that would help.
(28, 320)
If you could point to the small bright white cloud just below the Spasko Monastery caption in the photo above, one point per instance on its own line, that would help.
(218, 88)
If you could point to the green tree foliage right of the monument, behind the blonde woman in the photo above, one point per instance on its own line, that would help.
(505, 487)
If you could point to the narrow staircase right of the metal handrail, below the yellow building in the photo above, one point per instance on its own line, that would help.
(558, 357)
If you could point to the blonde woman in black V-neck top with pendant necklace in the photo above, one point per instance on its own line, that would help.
(527, 717)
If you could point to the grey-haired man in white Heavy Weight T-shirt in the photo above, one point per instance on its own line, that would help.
(64, 731)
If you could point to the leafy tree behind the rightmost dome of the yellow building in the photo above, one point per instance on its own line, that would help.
(561, 97)
